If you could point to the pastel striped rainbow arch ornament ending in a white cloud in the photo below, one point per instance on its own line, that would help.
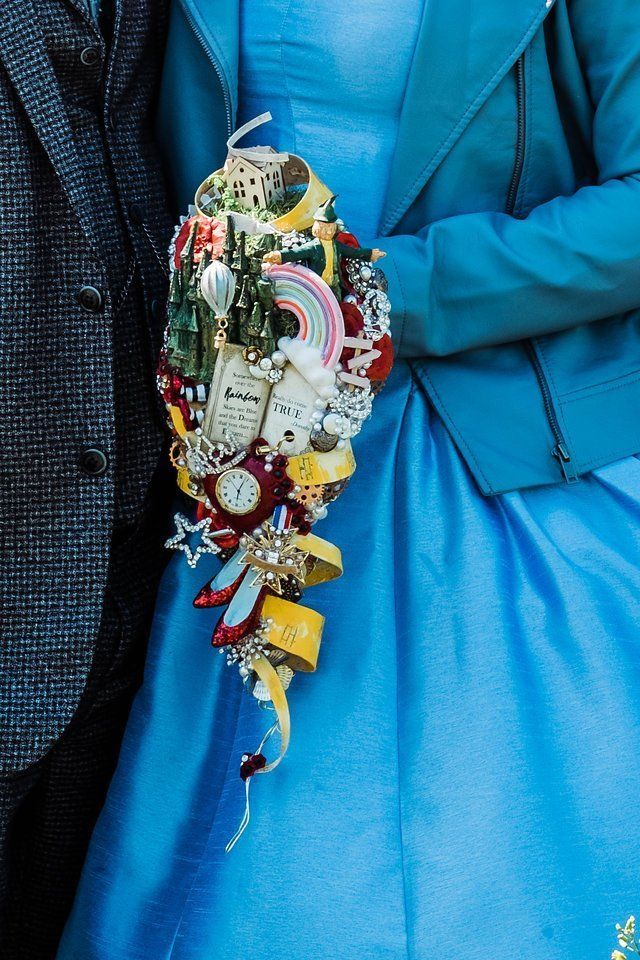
(314, 305)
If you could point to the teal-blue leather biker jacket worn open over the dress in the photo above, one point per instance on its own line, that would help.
(512, 219)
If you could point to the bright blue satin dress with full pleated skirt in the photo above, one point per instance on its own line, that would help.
(465, 766)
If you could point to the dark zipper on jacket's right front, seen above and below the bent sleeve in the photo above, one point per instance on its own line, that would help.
(560, 451)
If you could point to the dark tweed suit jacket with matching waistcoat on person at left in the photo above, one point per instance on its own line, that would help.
(79, 333)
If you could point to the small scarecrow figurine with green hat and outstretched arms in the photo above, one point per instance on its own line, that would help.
(323, 253)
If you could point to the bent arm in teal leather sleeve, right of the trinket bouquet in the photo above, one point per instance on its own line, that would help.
(488, 278)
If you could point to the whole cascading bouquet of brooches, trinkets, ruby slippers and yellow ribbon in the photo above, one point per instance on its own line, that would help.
(277, 342)
